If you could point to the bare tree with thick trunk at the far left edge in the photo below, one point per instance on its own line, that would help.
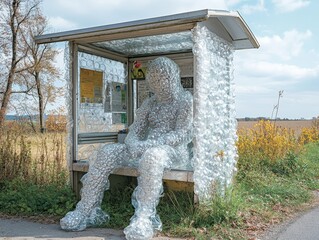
(15, 17)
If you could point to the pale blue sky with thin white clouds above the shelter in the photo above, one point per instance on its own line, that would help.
(287, 31)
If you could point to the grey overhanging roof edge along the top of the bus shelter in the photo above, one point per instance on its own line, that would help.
(160, 25)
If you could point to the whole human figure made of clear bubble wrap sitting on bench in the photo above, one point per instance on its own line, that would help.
(157, 140)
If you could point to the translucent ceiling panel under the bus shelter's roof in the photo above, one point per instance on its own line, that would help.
(166, 43)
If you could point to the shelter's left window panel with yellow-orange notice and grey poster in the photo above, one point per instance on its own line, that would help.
(103, 94)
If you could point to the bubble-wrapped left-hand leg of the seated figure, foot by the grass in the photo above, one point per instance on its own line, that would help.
(95, 182)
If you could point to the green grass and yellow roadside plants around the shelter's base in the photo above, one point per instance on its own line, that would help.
(278, 172)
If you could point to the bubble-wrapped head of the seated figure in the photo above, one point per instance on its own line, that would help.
(163, 77)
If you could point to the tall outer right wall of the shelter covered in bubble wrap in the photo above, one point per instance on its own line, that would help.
(214, 114)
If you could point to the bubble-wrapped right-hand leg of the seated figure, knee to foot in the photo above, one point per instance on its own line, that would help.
(146, 195)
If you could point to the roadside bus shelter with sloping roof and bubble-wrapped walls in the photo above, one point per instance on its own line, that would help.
(106, 85)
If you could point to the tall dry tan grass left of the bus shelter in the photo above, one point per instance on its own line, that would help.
(35, 157)
